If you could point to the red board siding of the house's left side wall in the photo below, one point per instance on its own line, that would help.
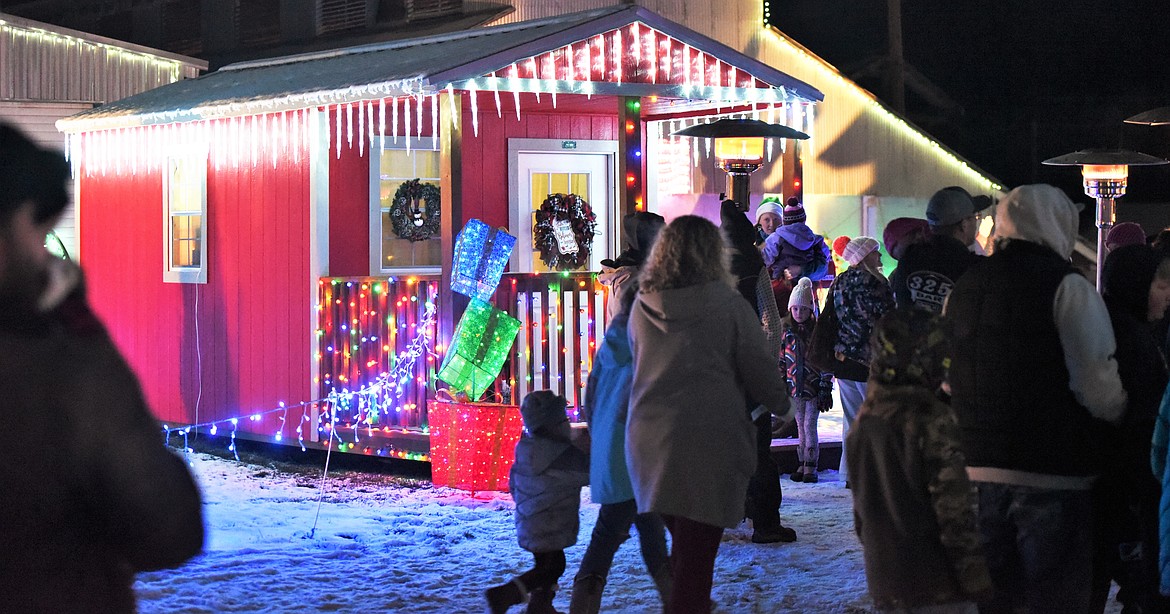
(239, 344)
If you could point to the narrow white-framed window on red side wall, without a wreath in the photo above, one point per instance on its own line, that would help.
(185, 210)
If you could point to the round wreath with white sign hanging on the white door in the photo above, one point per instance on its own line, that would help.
(582, 222)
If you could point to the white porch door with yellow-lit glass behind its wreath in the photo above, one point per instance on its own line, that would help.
(540, 175)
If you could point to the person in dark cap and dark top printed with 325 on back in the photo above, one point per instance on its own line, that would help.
(928, 270)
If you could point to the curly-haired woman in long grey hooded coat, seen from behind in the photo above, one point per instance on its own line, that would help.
(698, 350)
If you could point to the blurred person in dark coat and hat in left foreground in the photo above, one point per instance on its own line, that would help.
(92, 495)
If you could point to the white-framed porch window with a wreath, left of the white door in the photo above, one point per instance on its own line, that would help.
(390, 167)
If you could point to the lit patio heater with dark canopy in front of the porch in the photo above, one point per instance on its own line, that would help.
(740, 149)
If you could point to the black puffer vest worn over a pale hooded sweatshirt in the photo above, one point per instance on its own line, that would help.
(1009, 381)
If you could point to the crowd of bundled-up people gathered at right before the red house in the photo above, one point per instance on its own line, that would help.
(1007, 425)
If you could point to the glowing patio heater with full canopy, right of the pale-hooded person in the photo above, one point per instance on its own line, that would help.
(1106, 174)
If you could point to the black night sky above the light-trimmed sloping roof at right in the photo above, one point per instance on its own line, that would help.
(1034, 79)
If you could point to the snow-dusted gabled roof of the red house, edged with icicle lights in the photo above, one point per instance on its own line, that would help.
(405, 67)
